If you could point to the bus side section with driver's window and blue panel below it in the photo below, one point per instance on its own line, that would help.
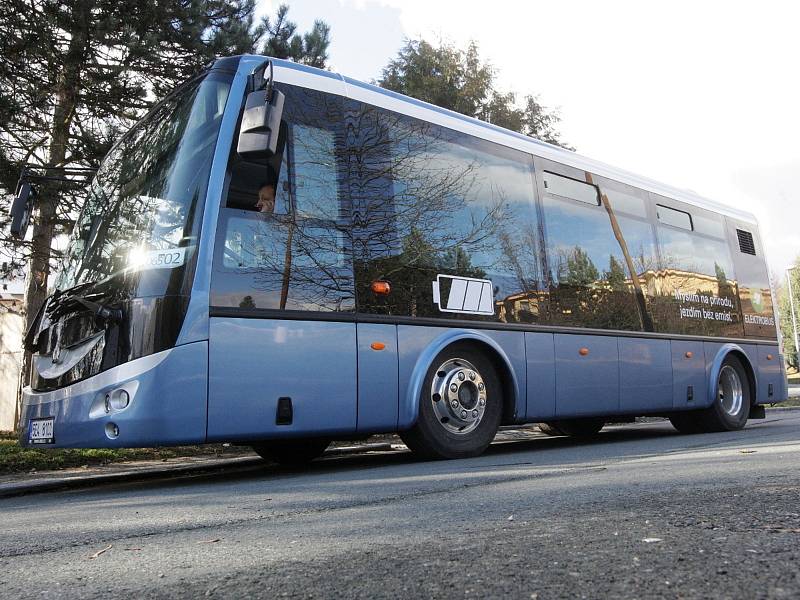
(283, 348)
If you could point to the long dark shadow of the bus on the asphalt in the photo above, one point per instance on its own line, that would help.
(514, 446)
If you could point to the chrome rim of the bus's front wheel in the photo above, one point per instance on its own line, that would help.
(458, 396)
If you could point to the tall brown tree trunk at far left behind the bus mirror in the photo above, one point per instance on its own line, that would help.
(66, 97)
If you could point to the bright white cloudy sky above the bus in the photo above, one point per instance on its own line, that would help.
(699, 95)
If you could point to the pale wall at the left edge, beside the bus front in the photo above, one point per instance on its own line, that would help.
(10, 358)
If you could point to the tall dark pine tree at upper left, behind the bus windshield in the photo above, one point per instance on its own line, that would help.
(75, 74)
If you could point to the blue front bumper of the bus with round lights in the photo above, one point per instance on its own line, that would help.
(167, 406)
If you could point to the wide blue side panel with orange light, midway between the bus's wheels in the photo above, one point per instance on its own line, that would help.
(587, 375)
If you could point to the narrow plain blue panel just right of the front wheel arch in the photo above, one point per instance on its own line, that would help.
(540, 356)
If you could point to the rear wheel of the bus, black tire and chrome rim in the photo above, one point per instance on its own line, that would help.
(731, 407)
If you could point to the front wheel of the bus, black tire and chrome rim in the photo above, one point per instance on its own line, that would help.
(438, 432)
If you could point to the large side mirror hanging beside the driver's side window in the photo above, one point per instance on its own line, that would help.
(261, 120)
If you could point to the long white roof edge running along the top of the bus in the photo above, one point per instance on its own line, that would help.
(291, 72)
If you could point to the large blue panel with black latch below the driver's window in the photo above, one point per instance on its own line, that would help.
(254, 362)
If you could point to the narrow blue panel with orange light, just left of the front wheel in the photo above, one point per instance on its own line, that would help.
(377, 377)
